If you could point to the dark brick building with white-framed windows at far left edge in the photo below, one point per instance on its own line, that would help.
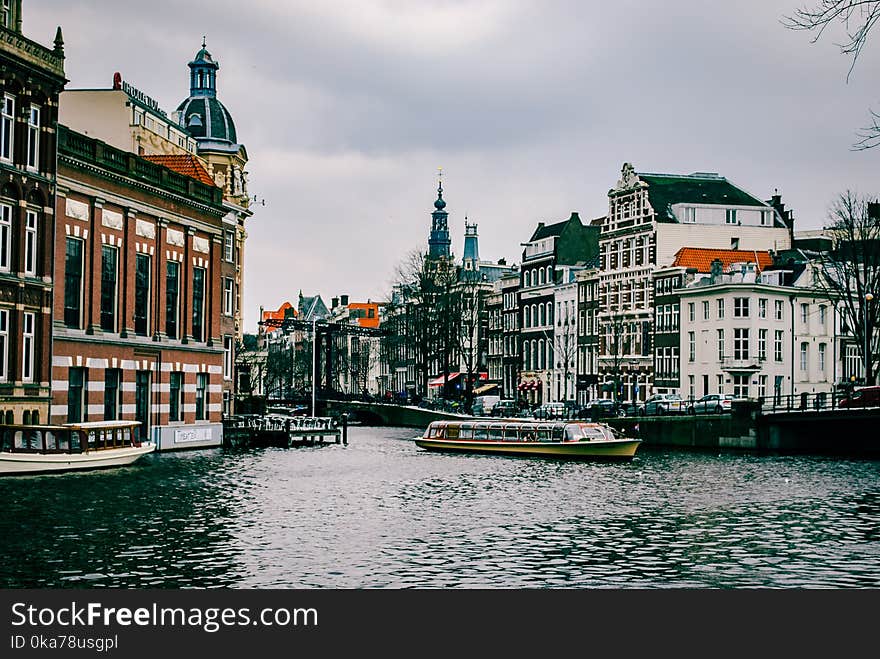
(33, 76)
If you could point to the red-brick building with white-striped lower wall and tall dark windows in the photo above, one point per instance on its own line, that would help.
(138, 298)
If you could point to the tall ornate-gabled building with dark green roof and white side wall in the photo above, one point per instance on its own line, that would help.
(650, 218)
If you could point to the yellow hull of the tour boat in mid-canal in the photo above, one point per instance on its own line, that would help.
(617, 449)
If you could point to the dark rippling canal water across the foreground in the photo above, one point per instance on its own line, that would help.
(381, 513)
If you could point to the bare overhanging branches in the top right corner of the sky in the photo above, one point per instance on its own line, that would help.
(858, 18)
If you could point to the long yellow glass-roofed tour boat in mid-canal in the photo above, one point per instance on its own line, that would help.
(566, 439)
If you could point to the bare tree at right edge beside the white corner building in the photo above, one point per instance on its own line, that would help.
(850, 273)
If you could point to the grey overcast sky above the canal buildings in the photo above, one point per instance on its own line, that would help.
(347, 109)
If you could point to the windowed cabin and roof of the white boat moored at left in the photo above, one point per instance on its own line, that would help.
(68, 438)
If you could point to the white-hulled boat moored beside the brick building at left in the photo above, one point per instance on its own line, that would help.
(69, 447)
